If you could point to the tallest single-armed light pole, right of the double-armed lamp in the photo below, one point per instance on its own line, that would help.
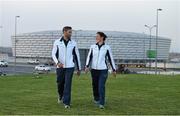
(157, 13)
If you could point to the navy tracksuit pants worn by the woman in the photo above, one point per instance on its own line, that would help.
(99, 78)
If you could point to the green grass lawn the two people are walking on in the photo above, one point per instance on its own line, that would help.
(126, 94)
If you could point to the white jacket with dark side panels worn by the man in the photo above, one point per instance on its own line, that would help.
(67, 55)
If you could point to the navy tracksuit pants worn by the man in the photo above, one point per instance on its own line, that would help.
(64, 81)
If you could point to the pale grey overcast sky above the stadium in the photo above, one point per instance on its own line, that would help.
(115, 15)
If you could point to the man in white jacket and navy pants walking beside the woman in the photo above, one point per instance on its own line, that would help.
(65, 53)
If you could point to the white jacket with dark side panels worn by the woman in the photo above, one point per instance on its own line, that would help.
(98, 57)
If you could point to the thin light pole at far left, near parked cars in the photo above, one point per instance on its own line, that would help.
(16, 17)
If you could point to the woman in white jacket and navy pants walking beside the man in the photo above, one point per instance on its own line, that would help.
(97, 56)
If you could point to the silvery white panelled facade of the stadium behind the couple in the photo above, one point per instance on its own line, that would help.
(127, 47)
